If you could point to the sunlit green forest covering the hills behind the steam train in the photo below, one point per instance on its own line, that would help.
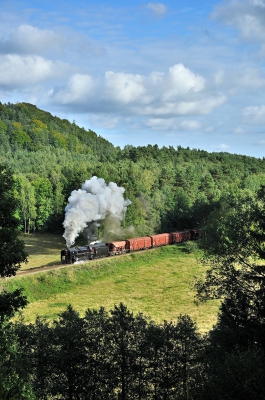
(170, 189)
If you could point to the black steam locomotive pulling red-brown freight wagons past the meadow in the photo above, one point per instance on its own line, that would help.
(98, 250)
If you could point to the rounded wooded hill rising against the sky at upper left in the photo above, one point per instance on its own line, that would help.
(25, 126)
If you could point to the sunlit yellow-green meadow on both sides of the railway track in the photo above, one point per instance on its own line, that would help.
(158, 283)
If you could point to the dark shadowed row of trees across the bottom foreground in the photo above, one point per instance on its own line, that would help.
(118, 355)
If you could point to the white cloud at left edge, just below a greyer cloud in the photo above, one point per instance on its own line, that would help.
(18, 71)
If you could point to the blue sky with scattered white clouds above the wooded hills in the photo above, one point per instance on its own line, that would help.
(168, 73)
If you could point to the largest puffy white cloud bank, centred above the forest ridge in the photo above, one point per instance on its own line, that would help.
(178, 92)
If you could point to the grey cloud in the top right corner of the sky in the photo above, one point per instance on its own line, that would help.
(246, 15)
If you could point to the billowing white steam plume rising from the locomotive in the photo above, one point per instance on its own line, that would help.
(96, 201)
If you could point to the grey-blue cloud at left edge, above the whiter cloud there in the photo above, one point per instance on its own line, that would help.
(27, 39)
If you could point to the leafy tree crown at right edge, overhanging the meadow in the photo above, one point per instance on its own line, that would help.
(234, 244)
